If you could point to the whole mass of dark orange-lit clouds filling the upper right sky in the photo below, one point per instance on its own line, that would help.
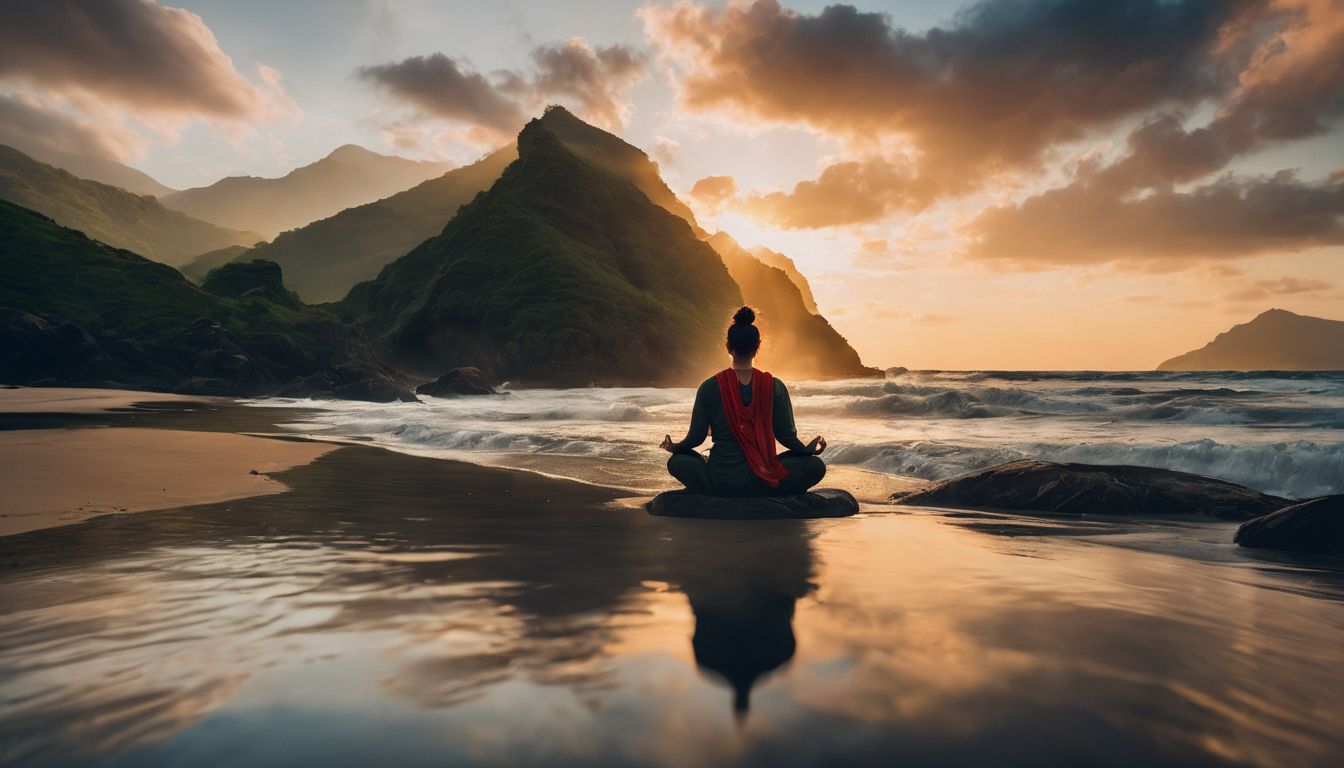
(993, 98)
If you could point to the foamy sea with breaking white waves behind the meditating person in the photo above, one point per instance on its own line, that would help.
(1280, 432)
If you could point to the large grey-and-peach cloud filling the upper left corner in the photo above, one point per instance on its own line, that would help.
(103, 77)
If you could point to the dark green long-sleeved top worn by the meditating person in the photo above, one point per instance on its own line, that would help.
(728, 463)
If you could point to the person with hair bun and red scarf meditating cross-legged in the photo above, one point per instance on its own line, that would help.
(748, 411)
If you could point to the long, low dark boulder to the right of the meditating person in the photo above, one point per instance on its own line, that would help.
(1095, 490)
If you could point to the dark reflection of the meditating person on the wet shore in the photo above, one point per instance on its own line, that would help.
(743, 591)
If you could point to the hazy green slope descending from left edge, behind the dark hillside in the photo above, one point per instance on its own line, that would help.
(111, 215)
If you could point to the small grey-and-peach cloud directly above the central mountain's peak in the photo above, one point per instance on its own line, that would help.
(591, 81)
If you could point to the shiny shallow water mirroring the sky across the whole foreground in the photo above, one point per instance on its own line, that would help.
(403, 611)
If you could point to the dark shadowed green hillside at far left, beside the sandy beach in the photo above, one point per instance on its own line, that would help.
(75, 311)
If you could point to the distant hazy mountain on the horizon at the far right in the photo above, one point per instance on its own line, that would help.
(1273, 341)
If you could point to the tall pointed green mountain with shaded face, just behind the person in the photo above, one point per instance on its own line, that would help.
(562, 274)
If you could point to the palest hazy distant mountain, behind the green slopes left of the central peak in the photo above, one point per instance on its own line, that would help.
(349, 177)
